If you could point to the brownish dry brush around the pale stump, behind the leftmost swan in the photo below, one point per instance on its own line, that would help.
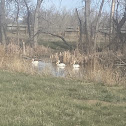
(23, 48)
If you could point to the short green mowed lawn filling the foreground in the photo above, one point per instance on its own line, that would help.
(27, 100)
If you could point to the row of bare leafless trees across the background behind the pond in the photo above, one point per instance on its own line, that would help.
(90, 20)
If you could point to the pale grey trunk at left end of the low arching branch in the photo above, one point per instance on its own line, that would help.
(36, 25)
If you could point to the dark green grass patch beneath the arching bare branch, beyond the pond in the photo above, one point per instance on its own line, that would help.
(57, 45)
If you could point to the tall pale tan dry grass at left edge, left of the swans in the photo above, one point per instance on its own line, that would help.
(11, 60)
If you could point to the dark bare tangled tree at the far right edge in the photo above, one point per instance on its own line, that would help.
(118, 38)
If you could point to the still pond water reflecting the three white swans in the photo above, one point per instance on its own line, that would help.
(51, 68)
